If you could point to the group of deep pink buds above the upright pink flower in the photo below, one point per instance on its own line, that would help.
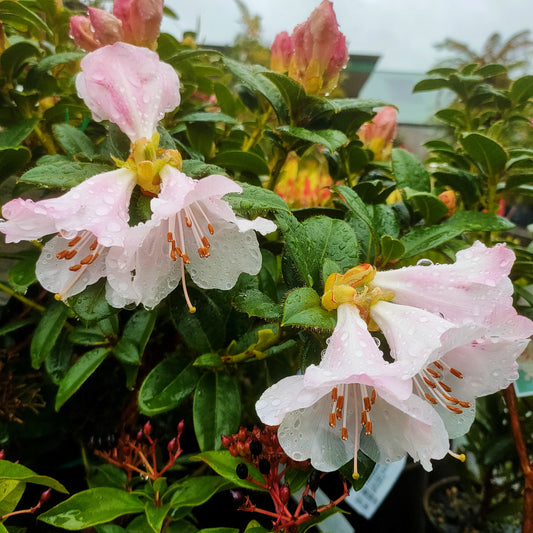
(132, 21)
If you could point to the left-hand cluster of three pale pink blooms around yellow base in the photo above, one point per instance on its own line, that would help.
(191, 226)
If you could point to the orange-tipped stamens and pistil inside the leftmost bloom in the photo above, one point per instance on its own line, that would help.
(81, 251)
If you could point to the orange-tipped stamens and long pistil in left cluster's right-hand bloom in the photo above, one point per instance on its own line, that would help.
(186, 223)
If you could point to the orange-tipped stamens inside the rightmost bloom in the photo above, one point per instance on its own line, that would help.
(430, 384)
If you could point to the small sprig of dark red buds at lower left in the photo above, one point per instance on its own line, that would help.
(137, 454)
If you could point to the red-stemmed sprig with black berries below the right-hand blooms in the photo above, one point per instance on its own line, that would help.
(261, 449)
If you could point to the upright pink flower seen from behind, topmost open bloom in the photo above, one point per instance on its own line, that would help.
(129, 86)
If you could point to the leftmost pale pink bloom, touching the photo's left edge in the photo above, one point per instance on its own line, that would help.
(88, 219)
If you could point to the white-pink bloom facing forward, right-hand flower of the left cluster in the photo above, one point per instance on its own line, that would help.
(191, 227)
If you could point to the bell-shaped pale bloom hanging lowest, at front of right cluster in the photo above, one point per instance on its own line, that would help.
(354, 400)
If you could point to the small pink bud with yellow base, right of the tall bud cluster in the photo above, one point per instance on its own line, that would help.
(378, 135)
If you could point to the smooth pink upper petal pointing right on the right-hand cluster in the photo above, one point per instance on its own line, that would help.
(467, 291)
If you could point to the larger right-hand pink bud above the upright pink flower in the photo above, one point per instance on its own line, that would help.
(141, 20)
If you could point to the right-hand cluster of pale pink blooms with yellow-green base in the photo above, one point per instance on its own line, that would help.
(453, 335)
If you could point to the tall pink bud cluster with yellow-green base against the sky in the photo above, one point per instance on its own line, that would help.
(315, 53)
